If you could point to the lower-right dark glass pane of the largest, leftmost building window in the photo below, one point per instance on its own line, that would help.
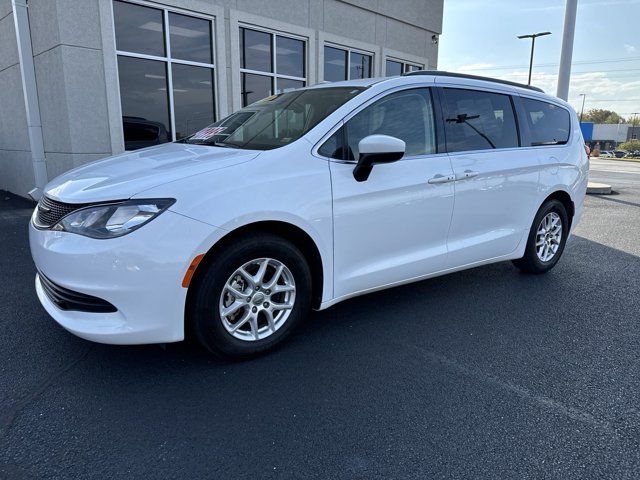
(192, 98)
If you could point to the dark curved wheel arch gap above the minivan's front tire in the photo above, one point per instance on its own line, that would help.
(288, 231)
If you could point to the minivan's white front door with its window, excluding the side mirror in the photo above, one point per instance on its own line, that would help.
(393, 226)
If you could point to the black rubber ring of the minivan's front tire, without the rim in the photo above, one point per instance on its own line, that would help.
(205, 317)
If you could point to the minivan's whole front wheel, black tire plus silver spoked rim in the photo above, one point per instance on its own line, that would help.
(252, 299)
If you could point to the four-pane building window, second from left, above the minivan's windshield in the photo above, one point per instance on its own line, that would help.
(270, 63)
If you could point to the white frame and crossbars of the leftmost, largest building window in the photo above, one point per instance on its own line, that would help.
(168, 60)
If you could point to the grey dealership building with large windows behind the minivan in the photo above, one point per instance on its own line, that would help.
(85, 79)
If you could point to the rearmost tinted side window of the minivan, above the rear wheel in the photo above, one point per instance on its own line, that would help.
(549, 124)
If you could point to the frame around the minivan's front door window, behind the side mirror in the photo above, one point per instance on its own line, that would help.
(438, 124)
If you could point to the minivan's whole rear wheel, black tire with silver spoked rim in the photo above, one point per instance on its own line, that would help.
(533, 261)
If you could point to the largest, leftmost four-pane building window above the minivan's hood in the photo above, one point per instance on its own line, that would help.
(166, 73)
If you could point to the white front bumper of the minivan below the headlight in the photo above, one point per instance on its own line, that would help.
(140, 274)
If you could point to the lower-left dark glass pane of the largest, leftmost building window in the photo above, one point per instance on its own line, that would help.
(145, 107)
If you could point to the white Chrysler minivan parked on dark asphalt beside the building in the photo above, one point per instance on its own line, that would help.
(305, 199)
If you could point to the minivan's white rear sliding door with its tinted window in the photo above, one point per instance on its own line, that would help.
(496, 180)
